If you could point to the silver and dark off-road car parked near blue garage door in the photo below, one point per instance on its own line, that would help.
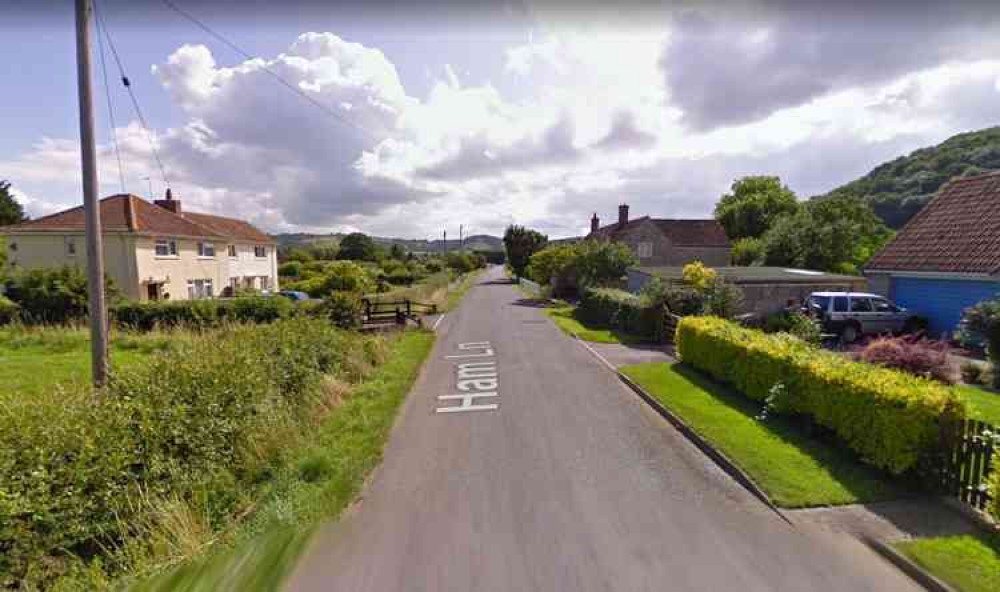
(853, 314)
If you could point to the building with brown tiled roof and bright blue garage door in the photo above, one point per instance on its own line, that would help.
(947, 257)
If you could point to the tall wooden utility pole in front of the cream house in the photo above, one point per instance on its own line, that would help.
(91, 206)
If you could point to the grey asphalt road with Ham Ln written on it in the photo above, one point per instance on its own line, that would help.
(571, 483)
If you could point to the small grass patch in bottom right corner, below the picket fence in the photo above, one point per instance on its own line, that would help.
(970, 563)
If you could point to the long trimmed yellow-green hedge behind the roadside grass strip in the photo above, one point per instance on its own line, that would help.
(889, 418)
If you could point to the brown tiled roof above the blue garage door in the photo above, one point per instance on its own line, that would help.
(957, 232)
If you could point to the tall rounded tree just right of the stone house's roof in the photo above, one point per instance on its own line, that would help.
(754, 205)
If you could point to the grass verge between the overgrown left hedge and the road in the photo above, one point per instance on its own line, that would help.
(317, 484)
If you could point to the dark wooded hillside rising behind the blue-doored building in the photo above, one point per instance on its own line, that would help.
(899, 188)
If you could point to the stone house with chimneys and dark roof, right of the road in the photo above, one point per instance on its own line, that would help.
(666, 242)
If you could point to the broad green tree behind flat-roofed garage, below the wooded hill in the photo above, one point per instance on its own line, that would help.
(838, 234)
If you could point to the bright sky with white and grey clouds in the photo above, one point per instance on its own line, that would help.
(406, 119)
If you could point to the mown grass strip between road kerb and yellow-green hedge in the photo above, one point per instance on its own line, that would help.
(794, 469)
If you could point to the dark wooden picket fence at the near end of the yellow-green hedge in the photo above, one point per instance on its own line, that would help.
(965, 466)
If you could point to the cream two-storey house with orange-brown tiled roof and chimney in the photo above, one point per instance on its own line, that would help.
(153, 251)
